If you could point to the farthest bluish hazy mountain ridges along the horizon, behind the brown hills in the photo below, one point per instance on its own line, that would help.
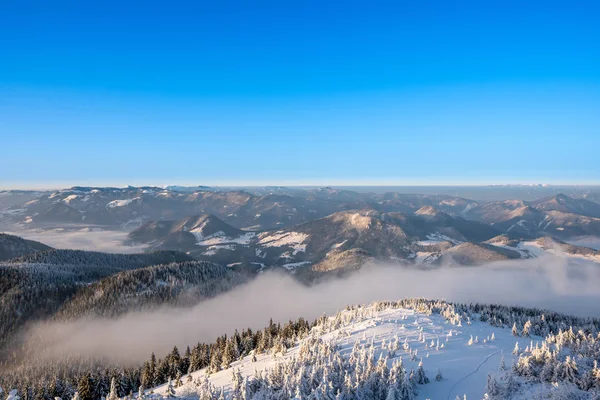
(259, 209)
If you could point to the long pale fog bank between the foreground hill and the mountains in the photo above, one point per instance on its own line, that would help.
(547, 282)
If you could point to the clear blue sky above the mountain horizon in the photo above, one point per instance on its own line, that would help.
(299, 92)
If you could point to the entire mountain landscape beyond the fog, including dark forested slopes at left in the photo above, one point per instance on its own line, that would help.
(201, 242)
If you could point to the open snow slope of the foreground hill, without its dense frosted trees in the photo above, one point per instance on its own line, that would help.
(464, 354)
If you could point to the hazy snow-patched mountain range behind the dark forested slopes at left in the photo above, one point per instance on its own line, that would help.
(321, 229)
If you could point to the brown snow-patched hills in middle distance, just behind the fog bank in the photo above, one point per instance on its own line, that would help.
(341, 241)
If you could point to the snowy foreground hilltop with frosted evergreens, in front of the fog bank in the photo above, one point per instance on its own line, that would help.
(404, 351)
